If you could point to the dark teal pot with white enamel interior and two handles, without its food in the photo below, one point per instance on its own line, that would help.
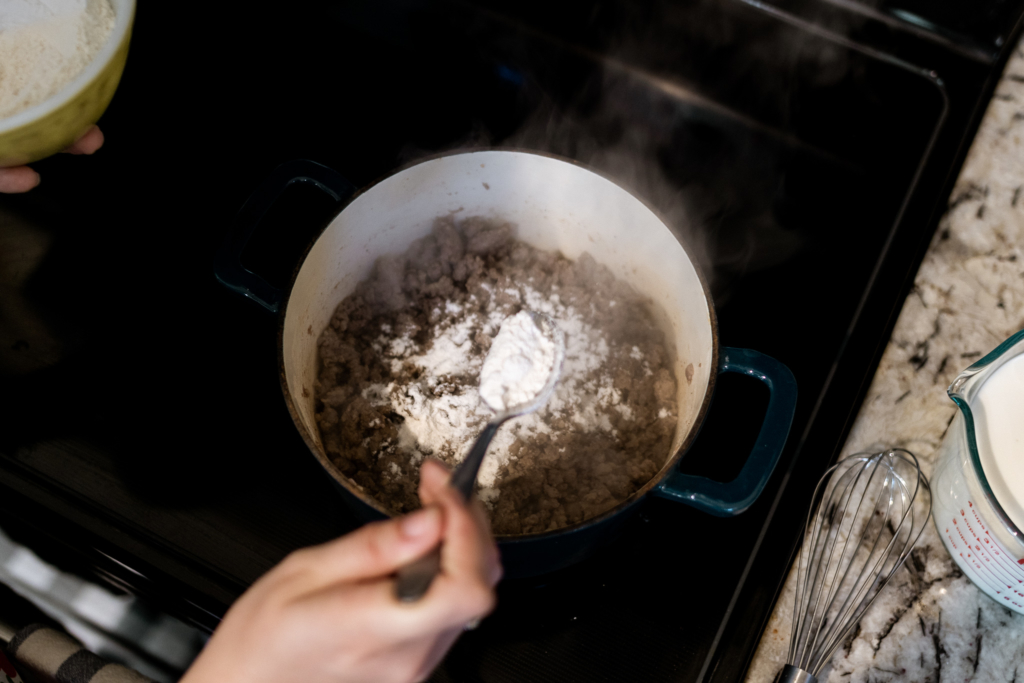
(557, 205)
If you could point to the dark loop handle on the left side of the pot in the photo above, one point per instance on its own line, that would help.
(228, 266)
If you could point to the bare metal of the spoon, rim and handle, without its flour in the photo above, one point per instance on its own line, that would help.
(415, 578)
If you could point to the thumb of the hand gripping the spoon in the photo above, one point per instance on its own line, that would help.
(380, 548)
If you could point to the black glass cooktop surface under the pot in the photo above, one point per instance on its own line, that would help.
(803, 152)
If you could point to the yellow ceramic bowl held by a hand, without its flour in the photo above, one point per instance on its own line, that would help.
(54, 124)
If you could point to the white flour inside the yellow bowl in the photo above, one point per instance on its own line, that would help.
(45, 45)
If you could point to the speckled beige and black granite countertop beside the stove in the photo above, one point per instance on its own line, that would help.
(931, 624)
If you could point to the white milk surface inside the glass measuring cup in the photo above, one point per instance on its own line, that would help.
(999, 418)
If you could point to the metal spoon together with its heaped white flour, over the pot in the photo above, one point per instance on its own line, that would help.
(519, 376)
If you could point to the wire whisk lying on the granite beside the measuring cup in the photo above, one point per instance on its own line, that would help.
(868, 513)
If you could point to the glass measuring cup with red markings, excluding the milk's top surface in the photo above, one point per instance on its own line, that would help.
(982, 538)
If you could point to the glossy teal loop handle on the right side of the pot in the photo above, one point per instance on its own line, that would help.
(726, 500)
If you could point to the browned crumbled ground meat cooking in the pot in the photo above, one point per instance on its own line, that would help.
(588, 458)
